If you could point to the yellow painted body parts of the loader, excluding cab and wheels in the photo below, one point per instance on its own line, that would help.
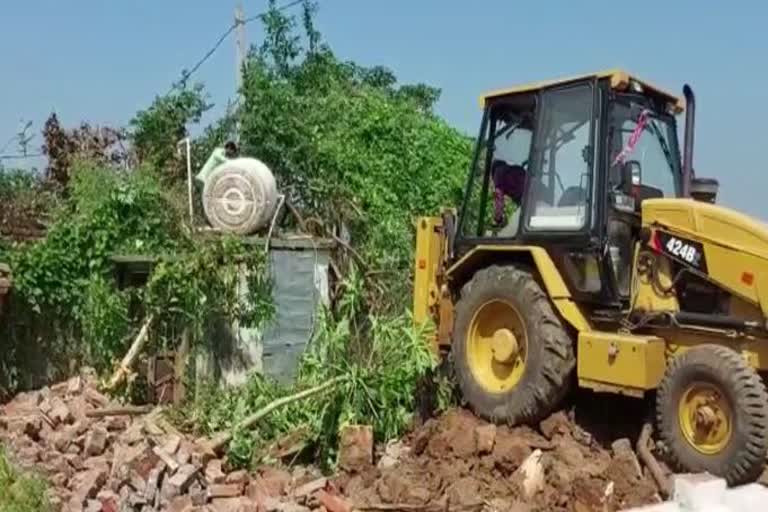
(736, 250)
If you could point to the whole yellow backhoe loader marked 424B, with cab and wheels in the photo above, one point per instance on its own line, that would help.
(587, 252)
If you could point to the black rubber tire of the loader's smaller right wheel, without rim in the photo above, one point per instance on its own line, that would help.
(743, 459)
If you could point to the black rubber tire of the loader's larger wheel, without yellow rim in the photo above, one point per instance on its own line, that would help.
(550, 361)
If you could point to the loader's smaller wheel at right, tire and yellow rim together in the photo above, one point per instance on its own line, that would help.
(712, 411)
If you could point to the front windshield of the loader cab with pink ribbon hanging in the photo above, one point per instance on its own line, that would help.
(650, 140)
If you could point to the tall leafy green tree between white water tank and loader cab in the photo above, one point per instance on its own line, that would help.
(350, 145)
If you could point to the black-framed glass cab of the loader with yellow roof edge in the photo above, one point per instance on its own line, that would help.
(591, 150)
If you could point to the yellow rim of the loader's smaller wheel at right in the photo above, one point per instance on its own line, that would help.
(705, 418)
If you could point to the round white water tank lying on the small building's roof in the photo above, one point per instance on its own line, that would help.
(240, 196)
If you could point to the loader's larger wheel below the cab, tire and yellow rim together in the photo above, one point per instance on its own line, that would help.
(513, 358)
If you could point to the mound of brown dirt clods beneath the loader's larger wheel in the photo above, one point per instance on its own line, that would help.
(461, 462)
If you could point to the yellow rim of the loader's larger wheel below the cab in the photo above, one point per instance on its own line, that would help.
(497, 346)
